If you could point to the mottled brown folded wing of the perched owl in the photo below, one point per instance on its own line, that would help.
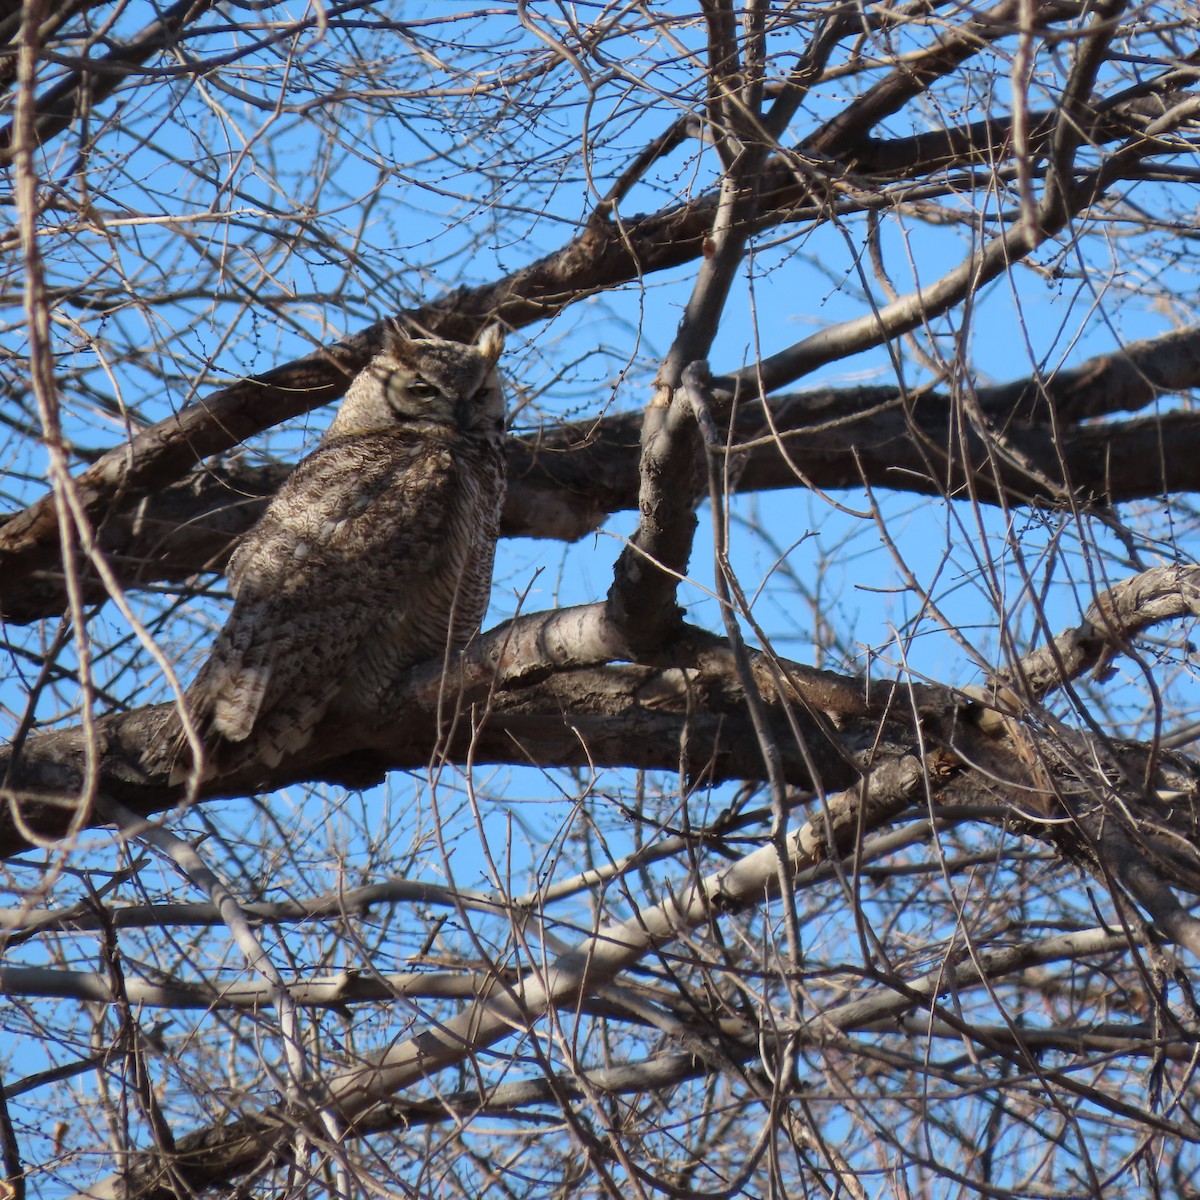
(343, 545)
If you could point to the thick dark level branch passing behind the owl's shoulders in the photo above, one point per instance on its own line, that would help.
(566, 481)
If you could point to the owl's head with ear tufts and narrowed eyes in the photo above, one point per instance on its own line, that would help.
(427, 381)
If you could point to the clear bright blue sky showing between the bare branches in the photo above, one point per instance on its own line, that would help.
(334, 235)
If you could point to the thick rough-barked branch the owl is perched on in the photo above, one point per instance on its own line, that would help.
(521, 695)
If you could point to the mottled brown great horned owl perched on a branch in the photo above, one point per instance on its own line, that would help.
(375, 555)
